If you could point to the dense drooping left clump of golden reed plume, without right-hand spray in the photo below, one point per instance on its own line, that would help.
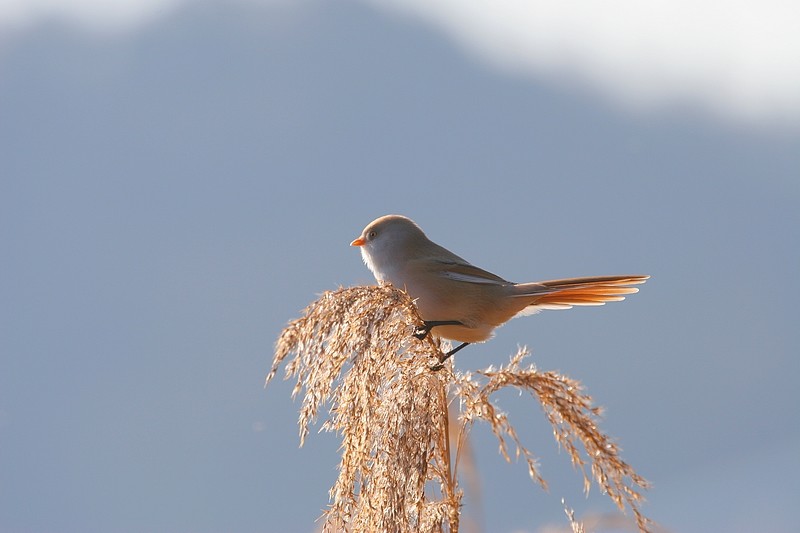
(354, 351)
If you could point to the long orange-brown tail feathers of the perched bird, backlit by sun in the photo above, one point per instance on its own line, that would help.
(564, 293)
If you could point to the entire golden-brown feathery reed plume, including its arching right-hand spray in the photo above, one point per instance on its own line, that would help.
(355, 355)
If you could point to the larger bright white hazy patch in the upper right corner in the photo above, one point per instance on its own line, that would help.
(738, 58)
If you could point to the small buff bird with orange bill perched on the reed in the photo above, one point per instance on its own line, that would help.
(462, 302)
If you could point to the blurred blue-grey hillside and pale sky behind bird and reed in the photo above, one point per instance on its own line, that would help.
(178, 180)
